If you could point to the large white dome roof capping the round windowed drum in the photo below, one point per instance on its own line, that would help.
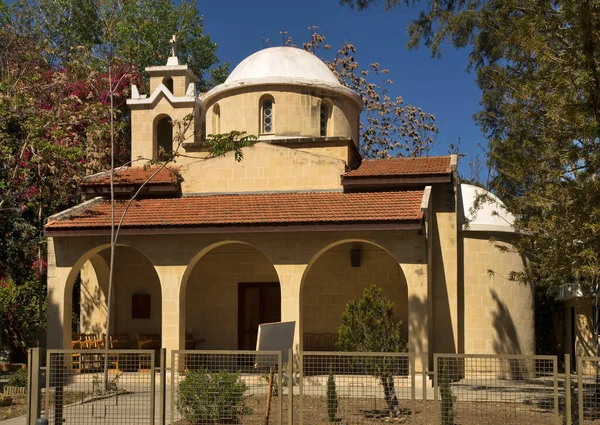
(283, 65)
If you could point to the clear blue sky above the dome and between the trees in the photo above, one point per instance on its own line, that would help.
(439, 86)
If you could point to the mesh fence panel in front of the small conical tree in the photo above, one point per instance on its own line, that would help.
(356, 388)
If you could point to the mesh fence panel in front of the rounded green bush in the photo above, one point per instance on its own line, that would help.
(226, 387)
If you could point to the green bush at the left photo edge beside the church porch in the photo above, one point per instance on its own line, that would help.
(20, 326)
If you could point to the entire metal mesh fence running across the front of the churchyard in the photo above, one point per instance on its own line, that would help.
(250, 387)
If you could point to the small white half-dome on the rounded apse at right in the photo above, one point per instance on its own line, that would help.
(491, 214)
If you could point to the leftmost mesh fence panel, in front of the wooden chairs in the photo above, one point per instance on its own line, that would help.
(79, 391)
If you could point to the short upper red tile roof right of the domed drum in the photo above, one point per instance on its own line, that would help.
(432, 165)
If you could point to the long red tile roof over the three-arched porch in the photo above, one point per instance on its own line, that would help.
(252, 209)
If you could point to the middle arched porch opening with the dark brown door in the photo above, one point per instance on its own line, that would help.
(229, 291)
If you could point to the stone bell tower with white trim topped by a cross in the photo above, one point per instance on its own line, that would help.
(172, 97)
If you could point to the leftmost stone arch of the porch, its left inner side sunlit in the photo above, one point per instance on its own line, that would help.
(134, 273)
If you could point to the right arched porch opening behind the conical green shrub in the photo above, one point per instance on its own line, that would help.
(339, 275)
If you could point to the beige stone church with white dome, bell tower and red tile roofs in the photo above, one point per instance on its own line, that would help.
(212, 246)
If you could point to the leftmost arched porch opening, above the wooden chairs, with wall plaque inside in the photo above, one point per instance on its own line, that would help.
(134, 279)
